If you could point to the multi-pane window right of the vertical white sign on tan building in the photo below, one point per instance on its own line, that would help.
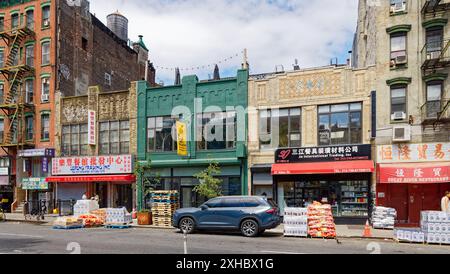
(115, 137)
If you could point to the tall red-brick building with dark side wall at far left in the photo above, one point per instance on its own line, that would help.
(52, 48)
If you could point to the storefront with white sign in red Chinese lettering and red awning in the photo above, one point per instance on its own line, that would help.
(109, 177)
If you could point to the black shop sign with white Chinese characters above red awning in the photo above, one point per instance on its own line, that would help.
(323, 154)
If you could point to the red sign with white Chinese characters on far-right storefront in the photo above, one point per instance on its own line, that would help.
(414, 174)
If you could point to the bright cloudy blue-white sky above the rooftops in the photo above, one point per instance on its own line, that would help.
(196, 34)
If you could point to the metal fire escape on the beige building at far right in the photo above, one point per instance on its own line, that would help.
(435, 60)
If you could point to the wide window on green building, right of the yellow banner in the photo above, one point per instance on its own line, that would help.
(216, 130)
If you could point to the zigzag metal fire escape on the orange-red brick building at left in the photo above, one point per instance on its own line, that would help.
(13, 103)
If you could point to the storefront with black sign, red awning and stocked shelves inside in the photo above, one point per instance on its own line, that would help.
(337, 175)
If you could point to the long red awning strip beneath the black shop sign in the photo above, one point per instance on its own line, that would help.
(324, 168)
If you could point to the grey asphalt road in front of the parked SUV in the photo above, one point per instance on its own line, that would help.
(25, 238)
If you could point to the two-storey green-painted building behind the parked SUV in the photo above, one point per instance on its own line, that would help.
(209, 109)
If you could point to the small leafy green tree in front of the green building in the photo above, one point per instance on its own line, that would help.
(209, 186)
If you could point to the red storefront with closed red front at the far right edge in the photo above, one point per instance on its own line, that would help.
(412, 178)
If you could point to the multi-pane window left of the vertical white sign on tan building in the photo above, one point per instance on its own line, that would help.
(75, 140)
